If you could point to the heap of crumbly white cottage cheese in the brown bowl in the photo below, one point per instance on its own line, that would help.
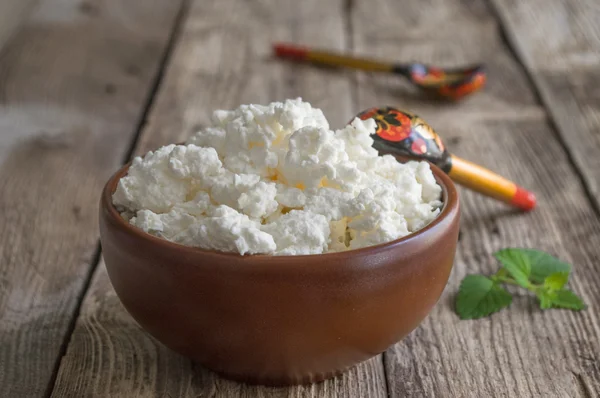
(275, 179)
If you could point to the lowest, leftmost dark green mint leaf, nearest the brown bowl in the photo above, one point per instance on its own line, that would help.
(479, 296)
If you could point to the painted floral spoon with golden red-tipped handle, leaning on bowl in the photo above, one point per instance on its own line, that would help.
(407, 134)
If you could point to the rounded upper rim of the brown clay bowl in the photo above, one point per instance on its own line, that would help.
(450, 205)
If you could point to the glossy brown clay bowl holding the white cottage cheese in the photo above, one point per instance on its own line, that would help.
(279, 320)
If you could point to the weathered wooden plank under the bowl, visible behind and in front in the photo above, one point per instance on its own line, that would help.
(222, 60)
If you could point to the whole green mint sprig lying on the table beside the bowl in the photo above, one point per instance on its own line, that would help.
(534, 270)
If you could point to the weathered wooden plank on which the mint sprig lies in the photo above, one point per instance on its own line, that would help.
(522, 351)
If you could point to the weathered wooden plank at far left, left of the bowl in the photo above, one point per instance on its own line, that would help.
(72, 86)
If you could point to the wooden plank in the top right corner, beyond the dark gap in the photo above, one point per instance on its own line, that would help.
(561, 49)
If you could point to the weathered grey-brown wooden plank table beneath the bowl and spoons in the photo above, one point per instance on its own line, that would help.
(86, 84)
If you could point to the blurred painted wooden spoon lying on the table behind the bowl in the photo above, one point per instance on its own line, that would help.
(451, 83)
